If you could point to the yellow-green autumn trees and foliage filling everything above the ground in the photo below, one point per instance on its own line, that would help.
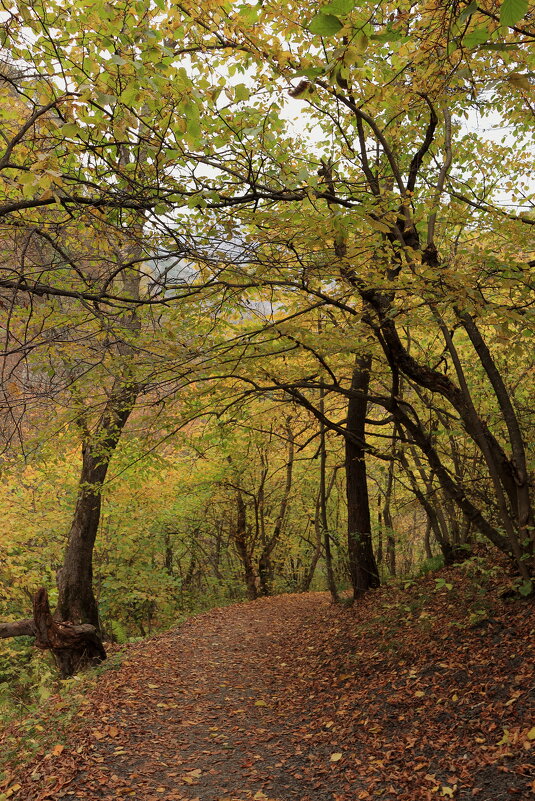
(279, 261)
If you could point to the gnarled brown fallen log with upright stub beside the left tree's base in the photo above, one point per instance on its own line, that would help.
(74, 647)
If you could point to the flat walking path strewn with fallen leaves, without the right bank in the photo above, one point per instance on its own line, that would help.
(218, 709)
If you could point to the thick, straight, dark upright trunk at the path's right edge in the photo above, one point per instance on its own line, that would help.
(362, 564)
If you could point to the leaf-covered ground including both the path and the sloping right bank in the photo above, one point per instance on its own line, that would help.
(412, 694)
